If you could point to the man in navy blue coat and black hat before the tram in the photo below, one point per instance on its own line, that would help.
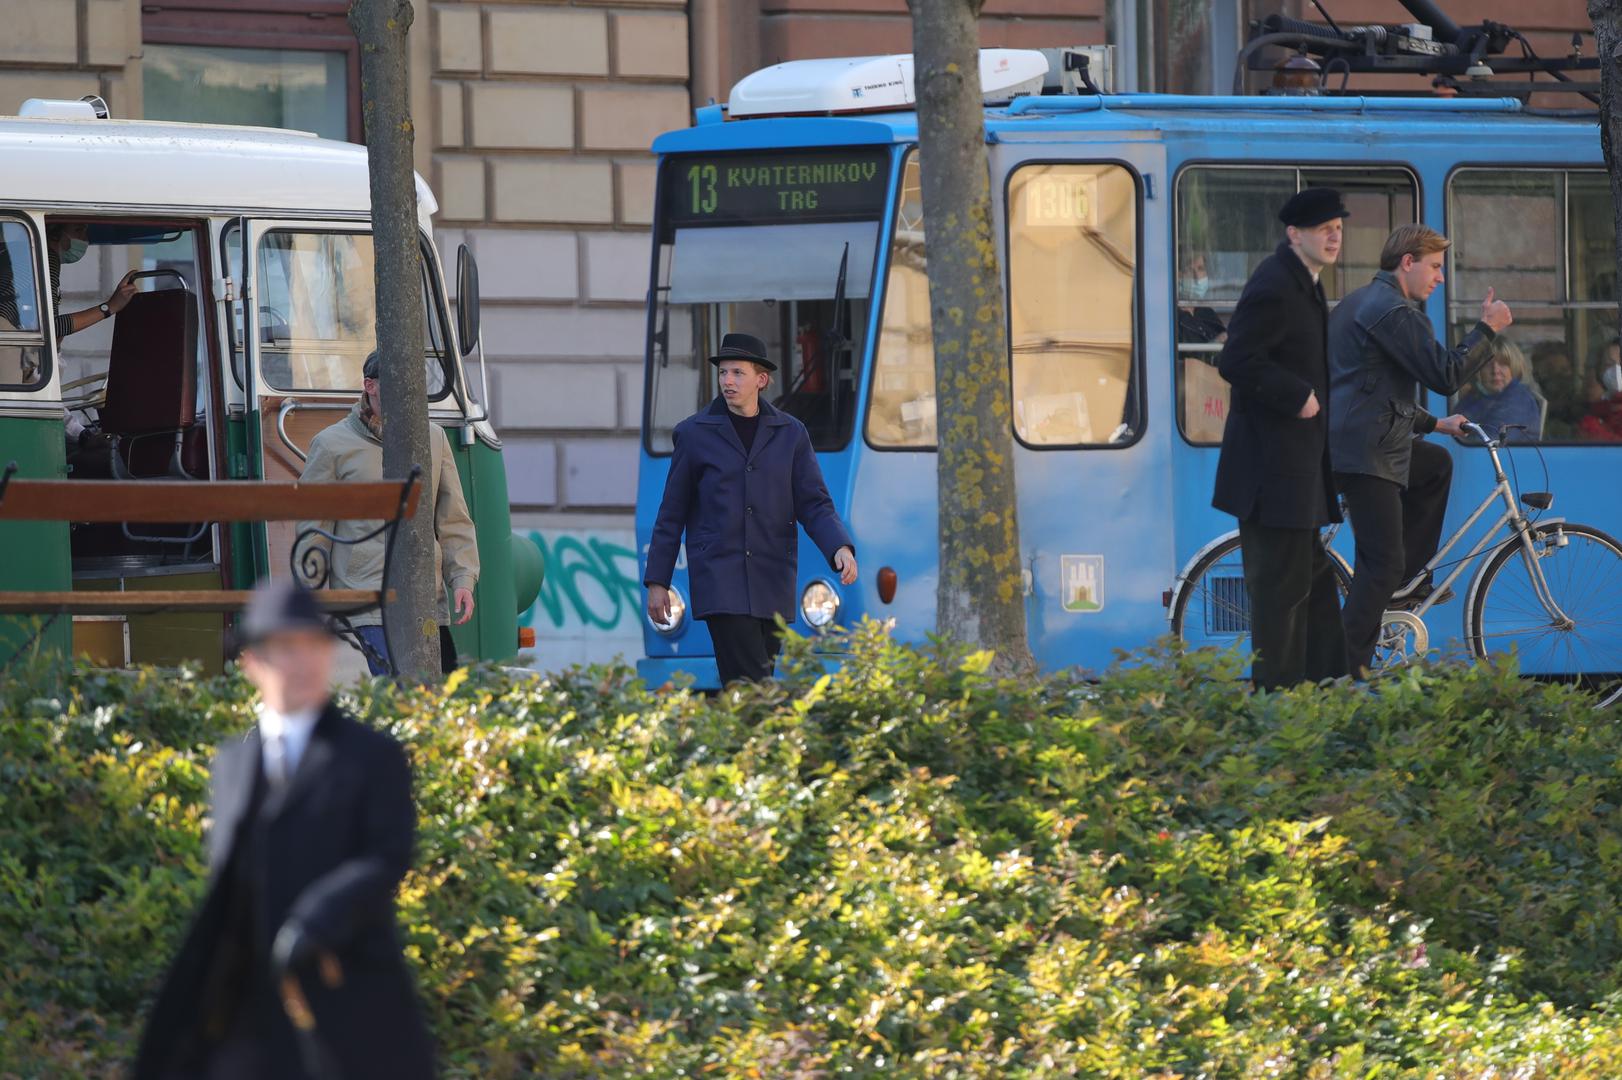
(742, 479)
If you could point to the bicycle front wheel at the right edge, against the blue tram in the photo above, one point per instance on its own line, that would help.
(1582, 568)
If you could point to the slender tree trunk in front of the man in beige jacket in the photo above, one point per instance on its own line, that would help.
(413, 620)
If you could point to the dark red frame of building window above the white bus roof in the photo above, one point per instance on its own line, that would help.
(291, 25)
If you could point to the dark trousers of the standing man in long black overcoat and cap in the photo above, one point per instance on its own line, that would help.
(1295, 607)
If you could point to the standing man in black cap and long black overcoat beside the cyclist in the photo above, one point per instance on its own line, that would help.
(1274, 473)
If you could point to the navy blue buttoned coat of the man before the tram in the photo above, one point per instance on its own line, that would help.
(742, 513)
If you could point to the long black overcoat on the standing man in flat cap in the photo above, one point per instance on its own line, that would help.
(1274, 468)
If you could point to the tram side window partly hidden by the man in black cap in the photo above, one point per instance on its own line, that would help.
(1227, 225)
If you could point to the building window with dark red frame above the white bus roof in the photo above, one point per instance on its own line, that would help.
(278, 64)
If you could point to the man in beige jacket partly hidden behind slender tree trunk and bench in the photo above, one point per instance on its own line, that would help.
(353, 450)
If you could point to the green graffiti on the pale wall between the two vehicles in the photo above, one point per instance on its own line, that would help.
(588, 580)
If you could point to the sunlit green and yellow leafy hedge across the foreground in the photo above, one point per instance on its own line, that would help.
(909, 868)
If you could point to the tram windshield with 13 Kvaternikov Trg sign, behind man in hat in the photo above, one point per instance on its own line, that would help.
(779, 246)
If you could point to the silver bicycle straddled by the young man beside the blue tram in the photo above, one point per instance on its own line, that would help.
(1550, 591)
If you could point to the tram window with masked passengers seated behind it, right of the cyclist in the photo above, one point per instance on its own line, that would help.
(1550, 255)
